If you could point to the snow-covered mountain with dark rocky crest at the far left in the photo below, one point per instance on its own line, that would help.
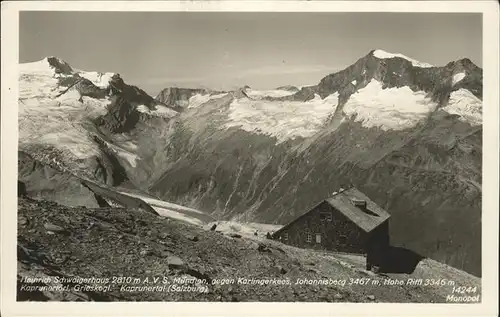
(63, 111)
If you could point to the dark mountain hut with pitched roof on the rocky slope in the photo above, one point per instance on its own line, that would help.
(348, 221)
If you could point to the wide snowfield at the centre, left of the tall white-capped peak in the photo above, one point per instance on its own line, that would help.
(281, 119)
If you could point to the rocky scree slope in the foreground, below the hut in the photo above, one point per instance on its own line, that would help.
(118, 254)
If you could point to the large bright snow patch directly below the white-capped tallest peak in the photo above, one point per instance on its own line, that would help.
(388, 109)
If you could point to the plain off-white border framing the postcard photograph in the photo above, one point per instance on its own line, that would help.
(490, 203)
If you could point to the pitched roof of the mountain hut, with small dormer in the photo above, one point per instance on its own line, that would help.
(367, 219)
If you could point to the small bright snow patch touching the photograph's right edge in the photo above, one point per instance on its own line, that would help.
(463, 103)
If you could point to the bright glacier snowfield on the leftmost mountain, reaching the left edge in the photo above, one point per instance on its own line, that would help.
(46, 117)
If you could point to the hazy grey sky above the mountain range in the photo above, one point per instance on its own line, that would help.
(155, 50)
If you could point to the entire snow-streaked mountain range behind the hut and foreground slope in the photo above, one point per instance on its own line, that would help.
(406, 133)
